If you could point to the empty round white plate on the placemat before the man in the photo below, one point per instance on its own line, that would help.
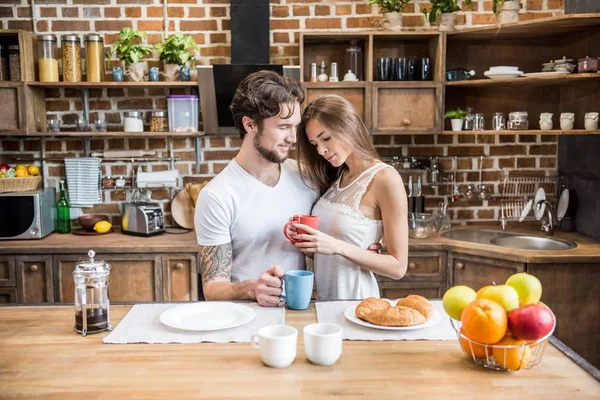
(207, 316)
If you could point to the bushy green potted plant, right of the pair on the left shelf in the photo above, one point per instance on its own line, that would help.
(174, 54)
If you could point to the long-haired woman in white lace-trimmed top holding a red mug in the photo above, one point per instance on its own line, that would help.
(363, 200)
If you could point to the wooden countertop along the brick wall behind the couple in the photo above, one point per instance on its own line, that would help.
(587, 250)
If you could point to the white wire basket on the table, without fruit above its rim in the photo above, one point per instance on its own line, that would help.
(504, 357)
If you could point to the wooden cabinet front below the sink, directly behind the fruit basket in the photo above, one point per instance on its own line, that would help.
(476, 271)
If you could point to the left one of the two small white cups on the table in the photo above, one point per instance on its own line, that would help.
(277, 345)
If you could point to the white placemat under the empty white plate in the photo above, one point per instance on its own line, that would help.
(142, 325)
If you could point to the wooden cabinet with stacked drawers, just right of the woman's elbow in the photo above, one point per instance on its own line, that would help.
(426, 275)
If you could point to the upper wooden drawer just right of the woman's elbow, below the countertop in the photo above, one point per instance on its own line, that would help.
(430, 266)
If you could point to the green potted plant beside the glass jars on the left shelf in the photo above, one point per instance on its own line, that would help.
(131, 51)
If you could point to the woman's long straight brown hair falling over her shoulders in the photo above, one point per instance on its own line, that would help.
(342, 122)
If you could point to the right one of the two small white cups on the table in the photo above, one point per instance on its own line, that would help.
(323, 343)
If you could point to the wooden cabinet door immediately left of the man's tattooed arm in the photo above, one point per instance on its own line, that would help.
(180, 277)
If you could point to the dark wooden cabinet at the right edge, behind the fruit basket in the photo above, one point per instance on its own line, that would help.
(571, 292)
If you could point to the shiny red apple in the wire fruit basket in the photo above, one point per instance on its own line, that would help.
(530, 322)
